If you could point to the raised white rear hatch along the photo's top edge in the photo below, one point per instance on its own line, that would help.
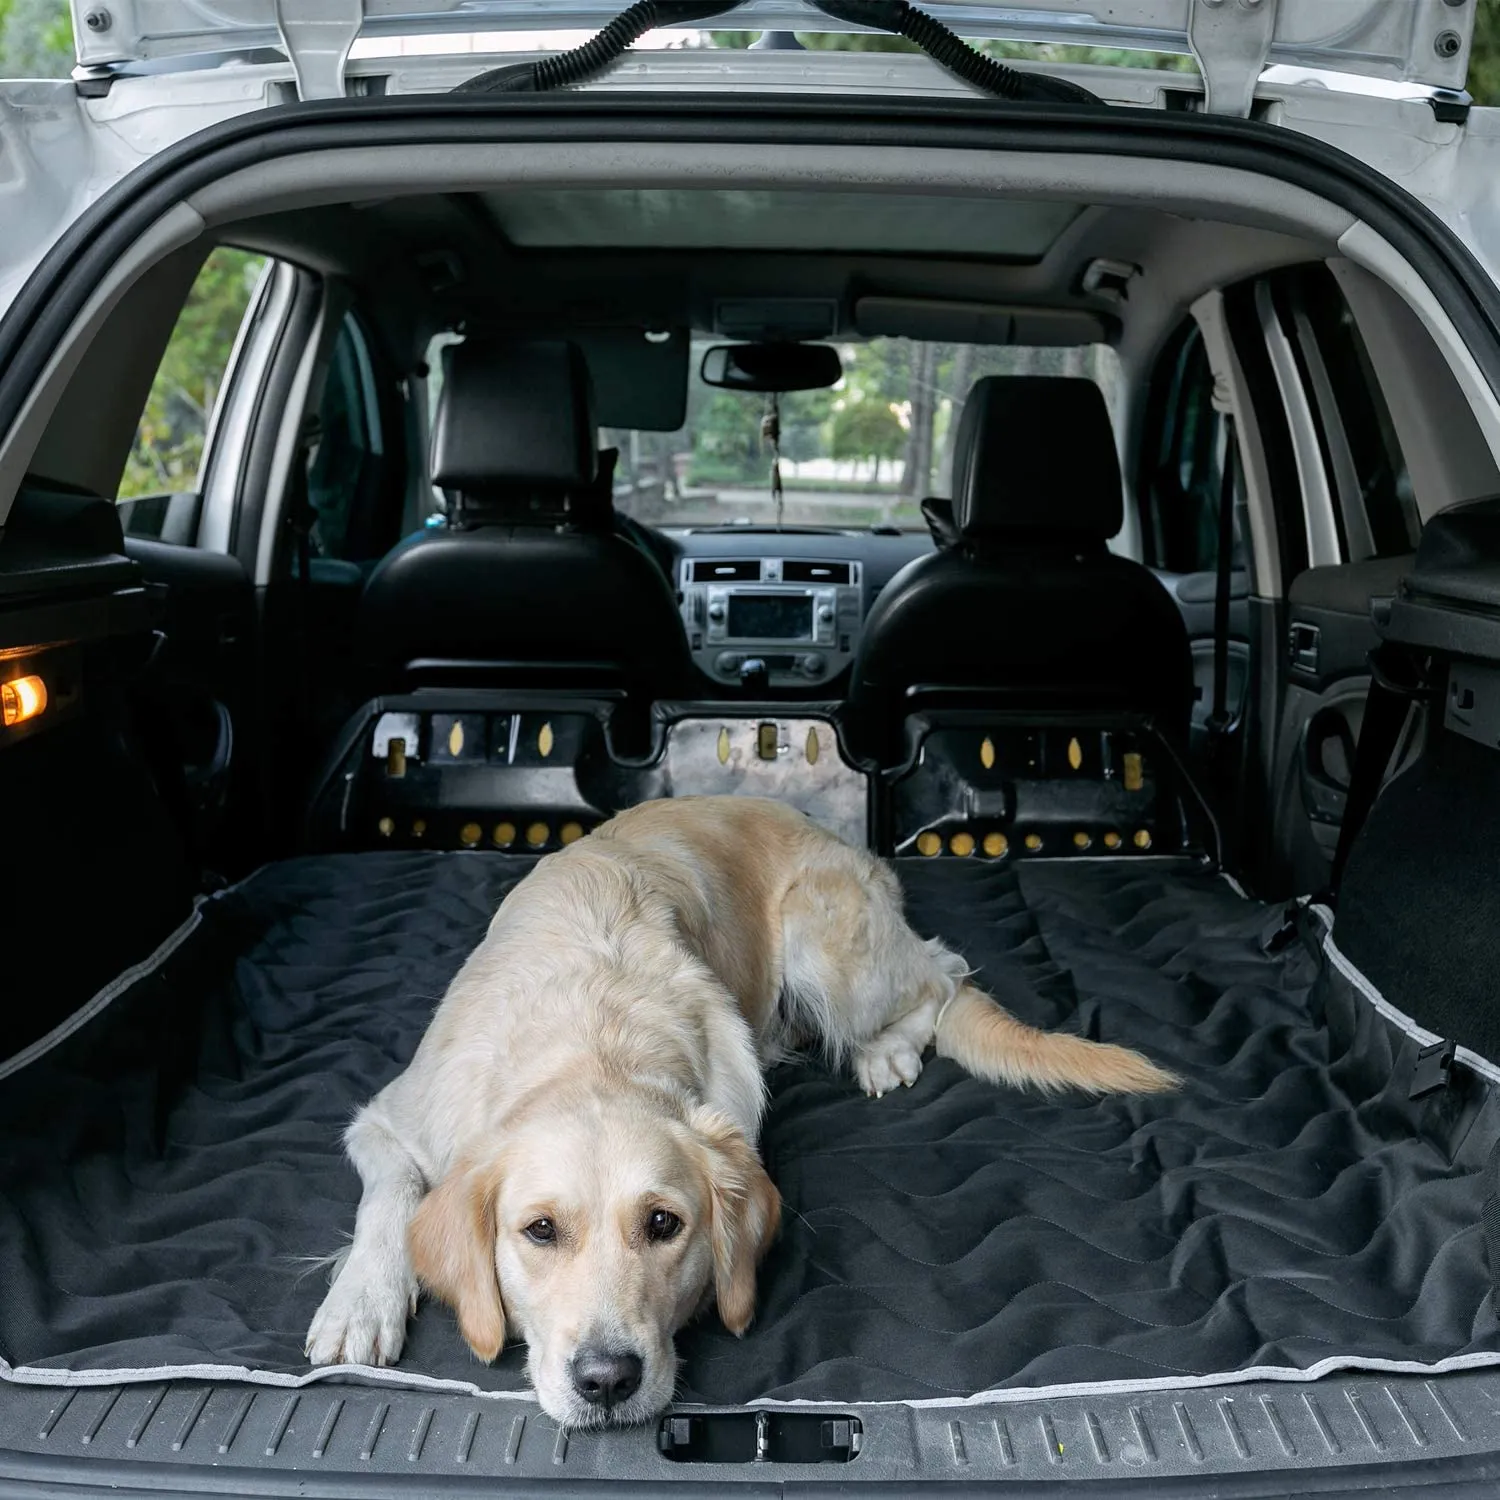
(1423, 44)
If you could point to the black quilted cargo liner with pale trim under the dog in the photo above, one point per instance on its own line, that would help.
(169, 1169)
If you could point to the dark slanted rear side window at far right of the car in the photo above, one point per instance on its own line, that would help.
(1376, 514)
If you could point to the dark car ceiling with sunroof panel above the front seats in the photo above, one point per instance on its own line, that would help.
(583, 259)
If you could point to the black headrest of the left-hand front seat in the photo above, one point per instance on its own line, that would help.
(515, 428)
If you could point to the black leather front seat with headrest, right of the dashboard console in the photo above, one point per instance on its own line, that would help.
(1030, 610)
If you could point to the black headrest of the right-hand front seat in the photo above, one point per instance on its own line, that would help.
(1036, 460)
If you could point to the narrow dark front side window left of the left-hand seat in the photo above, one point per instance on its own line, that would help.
(346, 464)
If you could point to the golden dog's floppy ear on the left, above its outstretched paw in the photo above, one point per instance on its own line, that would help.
(452, 1241)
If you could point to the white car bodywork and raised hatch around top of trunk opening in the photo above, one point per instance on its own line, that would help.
(1382, 80)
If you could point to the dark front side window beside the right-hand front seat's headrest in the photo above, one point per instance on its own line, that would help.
(1181, 484)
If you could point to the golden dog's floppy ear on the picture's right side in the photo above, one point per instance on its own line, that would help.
(746, 1213)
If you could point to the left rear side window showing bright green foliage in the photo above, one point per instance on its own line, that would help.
(160, 487)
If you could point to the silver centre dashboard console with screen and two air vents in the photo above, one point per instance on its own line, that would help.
(800, 617)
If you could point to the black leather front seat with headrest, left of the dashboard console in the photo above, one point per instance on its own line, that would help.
(530, 580)
